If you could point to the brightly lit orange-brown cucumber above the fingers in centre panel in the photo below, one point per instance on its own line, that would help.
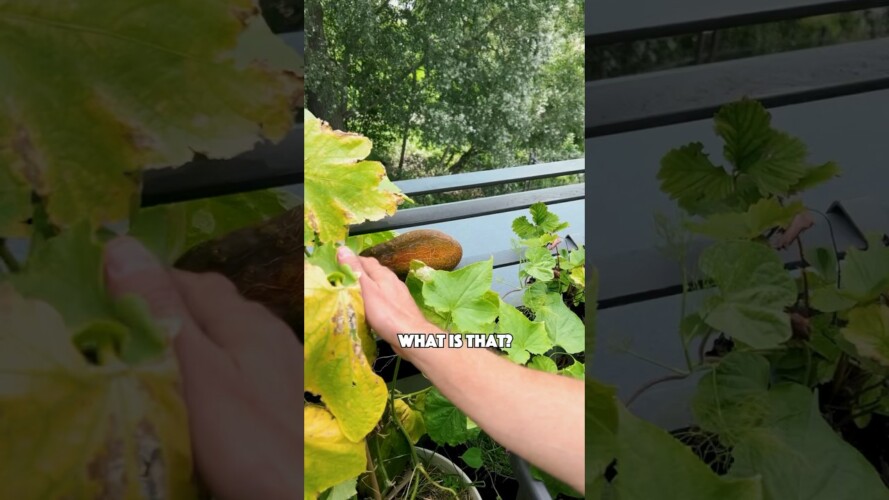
(434, 248)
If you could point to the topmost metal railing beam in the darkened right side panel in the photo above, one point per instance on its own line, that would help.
(620, 21)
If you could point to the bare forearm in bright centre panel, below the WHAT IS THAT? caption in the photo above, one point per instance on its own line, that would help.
(538, 416)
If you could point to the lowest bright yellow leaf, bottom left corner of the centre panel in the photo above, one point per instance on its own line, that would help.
(330, 457)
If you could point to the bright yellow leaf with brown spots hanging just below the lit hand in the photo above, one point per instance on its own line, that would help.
(336, 364)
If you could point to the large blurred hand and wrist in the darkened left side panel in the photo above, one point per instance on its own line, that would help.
(241, 370)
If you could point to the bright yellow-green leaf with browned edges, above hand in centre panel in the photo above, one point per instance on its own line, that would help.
(340, 188)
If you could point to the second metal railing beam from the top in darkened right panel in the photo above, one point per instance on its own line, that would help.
(676, 96)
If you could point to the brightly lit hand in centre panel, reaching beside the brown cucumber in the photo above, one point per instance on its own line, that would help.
(388, 305)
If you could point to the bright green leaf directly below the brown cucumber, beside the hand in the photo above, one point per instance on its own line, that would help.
(464, 294)
